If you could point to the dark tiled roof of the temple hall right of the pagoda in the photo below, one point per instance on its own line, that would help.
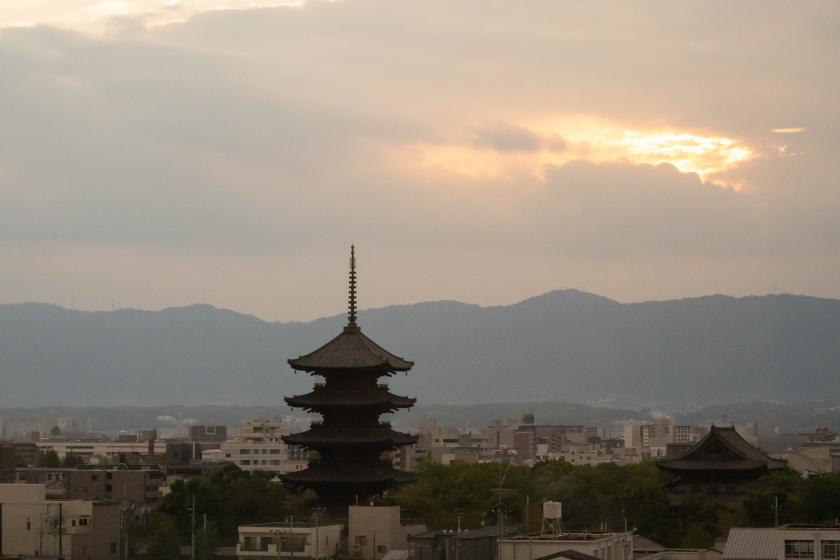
(721, 449)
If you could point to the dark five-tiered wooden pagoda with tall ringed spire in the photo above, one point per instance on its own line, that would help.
(351, 442)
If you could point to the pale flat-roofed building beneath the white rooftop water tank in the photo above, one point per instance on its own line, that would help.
(603, 546)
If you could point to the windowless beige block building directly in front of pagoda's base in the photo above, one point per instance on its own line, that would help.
(374, 531)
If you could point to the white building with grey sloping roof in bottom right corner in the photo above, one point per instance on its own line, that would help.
(789, 542)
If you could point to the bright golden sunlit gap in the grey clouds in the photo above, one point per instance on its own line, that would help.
(569, 139)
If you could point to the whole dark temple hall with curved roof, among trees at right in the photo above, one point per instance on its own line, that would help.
(720, 463)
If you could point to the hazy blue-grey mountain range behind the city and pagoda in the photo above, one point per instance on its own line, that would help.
(561, 346)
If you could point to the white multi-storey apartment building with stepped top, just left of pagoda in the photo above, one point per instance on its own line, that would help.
(258, 447)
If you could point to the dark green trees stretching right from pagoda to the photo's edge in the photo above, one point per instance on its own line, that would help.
(613, 496)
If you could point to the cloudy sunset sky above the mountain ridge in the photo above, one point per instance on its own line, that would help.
(162, 153)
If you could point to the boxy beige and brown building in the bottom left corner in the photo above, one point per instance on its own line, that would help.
(73, 529)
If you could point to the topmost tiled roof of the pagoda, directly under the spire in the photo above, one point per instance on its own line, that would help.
(350, 350)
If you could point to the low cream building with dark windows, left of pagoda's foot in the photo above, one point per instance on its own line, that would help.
(288, 540)
